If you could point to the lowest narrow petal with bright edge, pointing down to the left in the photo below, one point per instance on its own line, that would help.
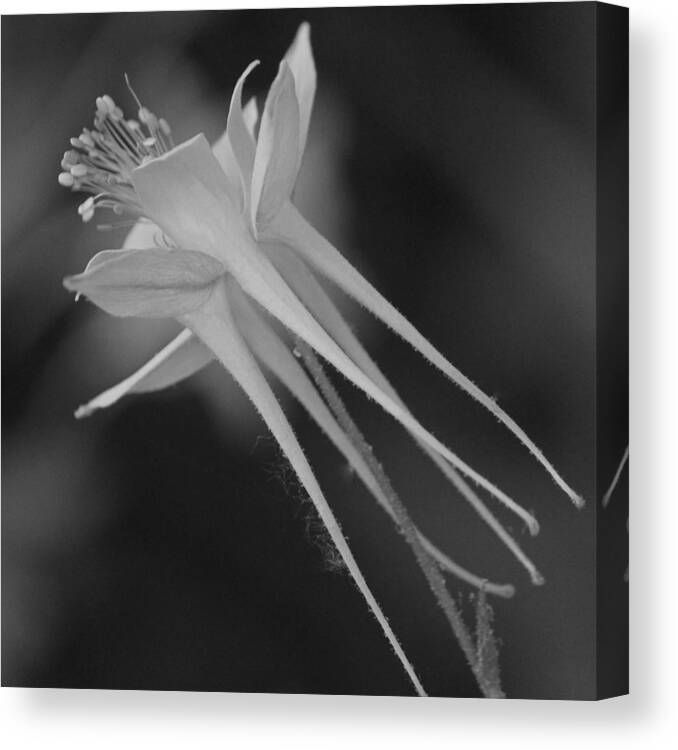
(180, 359)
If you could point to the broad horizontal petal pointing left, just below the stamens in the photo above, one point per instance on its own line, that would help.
(153, 283)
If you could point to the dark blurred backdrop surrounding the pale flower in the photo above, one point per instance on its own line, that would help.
(157, 545)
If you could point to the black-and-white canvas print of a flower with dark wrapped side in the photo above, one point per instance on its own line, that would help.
(315, 353)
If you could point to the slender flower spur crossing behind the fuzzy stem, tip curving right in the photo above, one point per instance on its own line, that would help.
(274, 354)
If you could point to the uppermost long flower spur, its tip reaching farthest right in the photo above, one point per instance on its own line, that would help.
(291, 228)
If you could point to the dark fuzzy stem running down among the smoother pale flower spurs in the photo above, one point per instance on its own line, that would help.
(405, 524)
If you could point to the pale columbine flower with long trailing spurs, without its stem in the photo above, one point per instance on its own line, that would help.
(219, 247)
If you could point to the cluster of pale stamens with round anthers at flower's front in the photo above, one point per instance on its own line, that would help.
(102, 159)
